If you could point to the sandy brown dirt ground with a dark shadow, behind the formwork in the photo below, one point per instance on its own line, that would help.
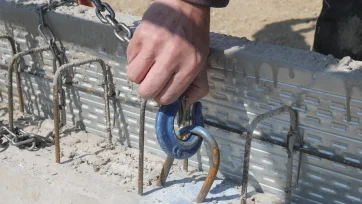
(281, 22)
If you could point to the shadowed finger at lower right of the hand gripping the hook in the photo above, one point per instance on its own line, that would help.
(198, 88)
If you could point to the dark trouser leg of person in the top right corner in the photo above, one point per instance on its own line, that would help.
(339, 29)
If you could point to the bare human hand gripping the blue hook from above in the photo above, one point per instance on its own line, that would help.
(168, 52)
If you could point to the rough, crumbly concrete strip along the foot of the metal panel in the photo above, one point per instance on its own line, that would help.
(88, 156)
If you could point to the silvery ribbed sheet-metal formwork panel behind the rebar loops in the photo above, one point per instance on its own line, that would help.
(243, 83)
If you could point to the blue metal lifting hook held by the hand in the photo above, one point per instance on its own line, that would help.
(166, 136)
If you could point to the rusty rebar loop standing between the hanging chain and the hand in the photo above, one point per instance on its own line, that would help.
(57, 85)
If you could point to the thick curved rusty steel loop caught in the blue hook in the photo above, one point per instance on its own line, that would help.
(213, 149)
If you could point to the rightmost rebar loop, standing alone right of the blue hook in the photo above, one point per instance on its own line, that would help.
(249, 137)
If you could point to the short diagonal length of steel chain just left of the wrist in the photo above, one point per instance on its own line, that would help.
(121, 30)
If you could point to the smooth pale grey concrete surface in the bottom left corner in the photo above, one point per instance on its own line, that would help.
(27, 178)
